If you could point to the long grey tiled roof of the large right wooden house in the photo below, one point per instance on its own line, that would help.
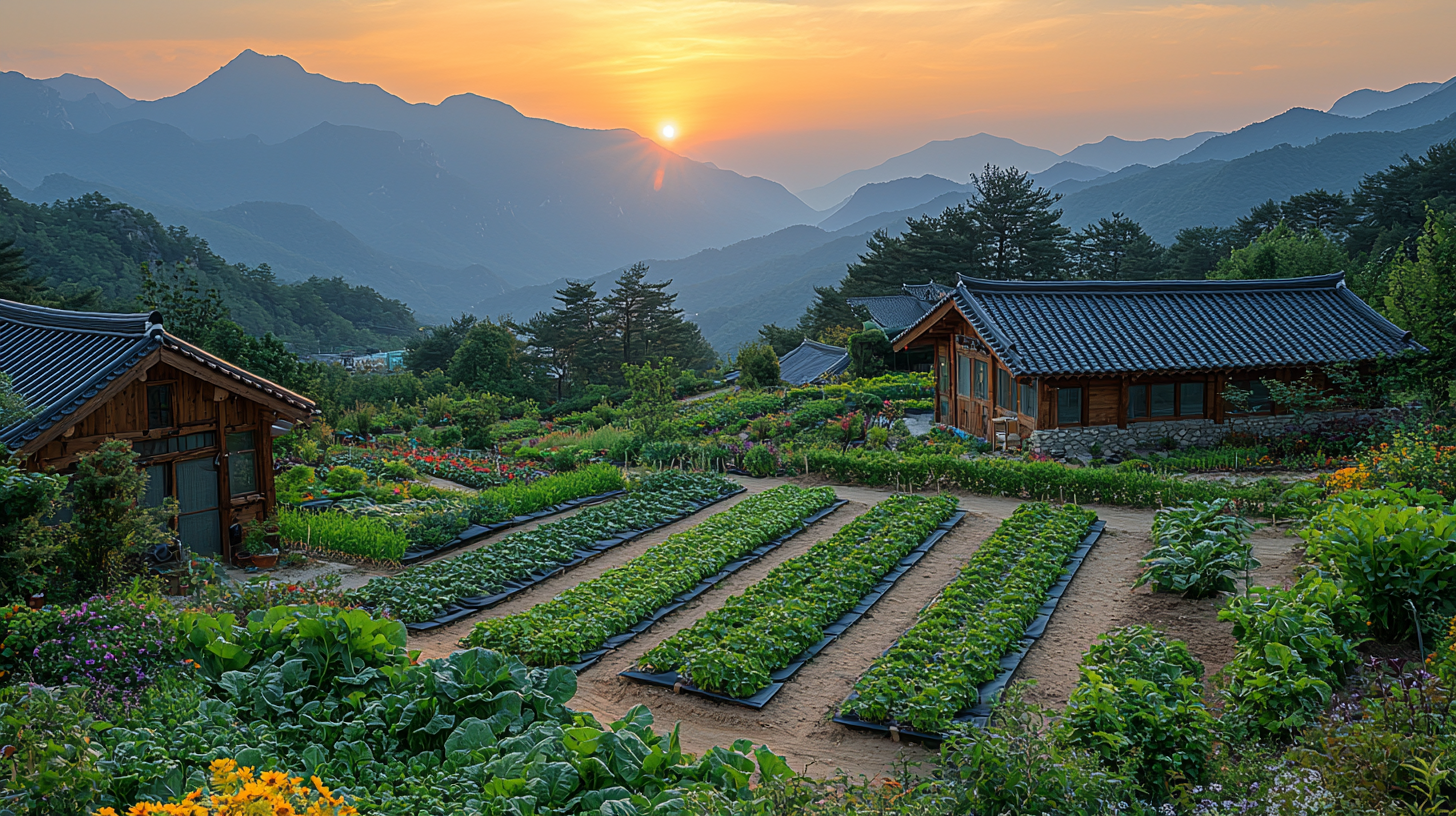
(1113, 327)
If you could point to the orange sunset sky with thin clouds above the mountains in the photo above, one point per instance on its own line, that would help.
(799, 91)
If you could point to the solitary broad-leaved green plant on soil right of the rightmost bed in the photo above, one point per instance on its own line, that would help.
(1200, 550)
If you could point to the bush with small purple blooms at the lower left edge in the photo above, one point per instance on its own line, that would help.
(114, 645)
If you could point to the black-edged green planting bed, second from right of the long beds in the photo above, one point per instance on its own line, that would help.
(746, 651)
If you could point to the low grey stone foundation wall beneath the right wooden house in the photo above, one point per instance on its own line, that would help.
(1187, 433)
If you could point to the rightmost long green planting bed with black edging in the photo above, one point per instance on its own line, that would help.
(969, 642)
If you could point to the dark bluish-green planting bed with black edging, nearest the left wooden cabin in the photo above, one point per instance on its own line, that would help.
(440, 592)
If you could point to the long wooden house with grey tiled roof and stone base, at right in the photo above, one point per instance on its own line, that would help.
(1065, 365)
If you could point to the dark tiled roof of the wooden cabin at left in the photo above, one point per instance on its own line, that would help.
(59, 361)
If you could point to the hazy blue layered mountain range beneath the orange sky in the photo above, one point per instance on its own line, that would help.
(472, 206)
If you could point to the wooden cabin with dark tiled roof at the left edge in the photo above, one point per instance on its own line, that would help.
(202, 426)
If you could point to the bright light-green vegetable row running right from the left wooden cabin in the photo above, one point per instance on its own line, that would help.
(385, 533)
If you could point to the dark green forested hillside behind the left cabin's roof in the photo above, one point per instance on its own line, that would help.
(91, 251)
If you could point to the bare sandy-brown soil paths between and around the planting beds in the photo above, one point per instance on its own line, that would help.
(797, 722)
